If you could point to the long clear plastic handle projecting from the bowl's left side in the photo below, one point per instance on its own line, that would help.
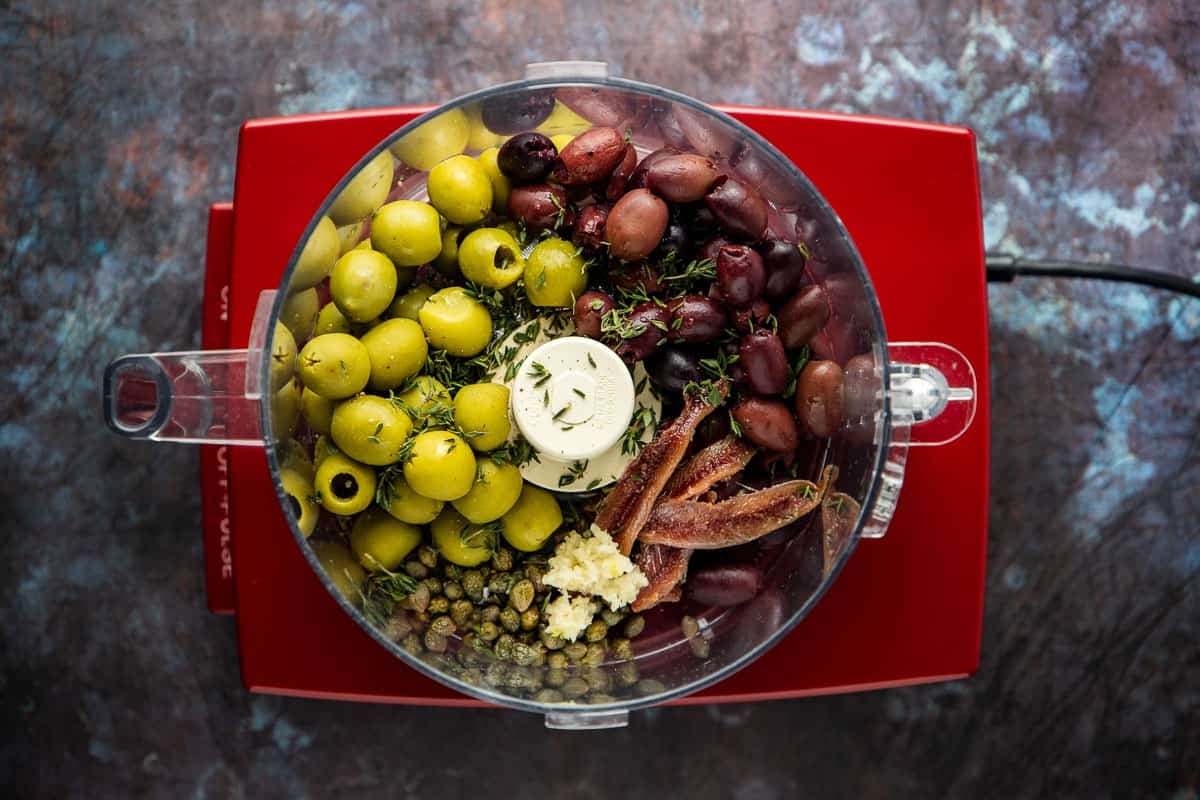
(193, 398)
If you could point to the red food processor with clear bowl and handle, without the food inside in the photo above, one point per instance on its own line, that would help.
(890, 214)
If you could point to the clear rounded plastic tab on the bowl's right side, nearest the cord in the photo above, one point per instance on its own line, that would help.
(933, 392)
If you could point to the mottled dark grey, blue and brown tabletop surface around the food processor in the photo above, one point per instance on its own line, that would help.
(118, 125)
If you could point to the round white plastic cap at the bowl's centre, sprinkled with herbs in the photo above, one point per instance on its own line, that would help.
(573, 399)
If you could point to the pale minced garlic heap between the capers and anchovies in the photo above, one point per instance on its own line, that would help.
(595, 567)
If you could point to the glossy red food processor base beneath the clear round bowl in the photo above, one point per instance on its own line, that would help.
(907, 609)
